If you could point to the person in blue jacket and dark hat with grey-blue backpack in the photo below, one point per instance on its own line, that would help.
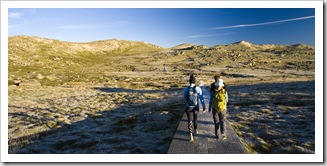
(192, 94)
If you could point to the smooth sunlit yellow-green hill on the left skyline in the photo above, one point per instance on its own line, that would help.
(29, 51)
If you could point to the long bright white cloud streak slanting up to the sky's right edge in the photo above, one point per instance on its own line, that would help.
(263, 23)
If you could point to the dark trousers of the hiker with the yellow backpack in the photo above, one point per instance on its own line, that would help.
(219, 119)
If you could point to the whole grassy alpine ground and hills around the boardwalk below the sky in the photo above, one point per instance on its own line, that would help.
(112, 96)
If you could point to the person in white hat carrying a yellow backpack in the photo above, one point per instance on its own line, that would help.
(218, 104)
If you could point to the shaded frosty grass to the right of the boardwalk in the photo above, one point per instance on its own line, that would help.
(275, 118)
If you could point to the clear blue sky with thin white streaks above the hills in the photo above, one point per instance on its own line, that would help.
(167, 27)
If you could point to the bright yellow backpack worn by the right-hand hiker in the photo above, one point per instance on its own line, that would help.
(219, 99)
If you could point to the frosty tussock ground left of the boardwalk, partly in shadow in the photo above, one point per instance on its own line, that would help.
(96, 122)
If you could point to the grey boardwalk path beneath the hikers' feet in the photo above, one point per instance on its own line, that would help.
(205, 141)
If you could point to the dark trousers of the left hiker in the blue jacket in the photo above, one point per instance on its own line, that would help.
(192, 117)
